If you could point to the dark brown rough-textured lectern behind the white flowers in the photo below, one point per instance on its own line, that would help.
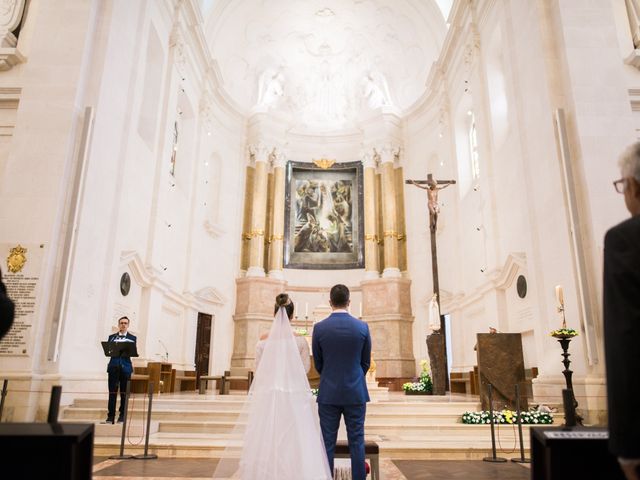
(501, 363)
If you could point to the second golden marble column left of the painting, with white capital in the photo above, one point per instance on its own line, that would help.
(260, 154)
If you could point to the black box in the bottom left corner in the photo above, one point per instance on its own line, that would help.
(48, 450)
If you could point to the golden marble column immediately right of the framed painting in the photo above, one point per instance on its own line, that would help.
(371, 267)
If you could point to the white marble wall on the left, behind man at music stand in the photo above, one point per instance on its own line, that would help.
(97, 54)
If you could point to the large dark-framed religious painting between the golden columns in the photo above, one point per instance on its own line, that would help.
(323, 216)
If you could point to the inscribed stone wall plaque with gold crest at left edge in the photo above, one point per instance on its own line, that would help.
(23, 288)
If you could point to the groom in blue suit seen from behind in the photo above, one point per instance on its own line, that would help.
(342, 353)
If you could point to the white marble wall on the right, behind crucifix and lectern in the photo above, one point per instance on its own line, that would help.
(513, 64)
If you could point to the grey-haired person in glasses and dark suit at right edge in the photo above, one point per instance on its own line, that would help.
(621, 298)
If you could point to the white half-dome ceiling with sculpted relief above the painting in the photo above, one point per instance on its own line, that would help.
(325, 63)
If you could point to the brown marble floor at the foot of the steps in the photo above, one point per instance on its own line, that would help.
(202, 469)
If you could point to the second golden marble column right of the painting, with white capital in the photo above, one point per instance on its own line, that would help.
(388, 155)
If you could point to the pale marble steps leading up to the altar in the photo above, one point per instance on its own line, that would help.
(405, 427)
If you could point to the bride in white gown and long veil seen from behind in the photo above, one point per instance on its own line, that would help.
(281, 439)
